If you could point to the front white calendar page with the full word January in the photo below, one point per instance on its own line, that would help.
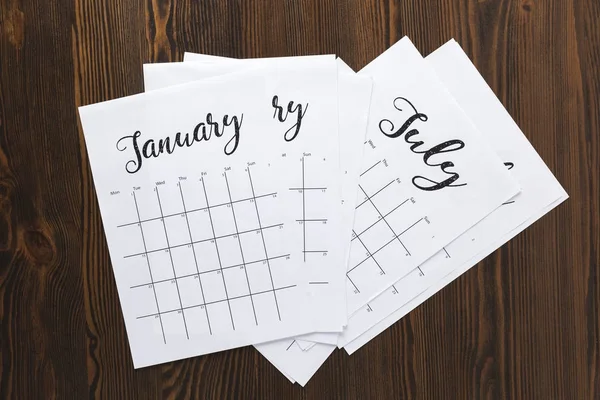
(190, 206)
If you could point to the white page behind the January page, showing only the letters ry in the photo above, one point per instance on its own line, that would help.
(313, 191)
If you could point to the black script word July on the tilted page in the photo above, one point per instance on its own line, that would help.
(448, 146)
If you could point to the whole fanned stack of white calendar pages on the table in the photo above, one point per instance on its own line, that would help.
(297, 206)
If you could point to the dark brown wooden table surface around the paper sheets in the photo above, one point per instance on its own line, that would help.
(524, 323)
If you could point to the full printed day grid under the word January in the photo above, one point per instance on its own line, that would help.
(205, 254)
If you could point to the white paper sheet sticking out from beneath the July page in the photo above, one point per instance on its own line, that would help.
(539, 190)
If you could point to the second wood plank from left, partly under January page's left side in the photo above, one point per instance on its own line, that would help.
(108, 48)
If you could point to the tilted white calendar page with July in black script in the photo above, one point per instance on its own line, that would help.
(427, 175)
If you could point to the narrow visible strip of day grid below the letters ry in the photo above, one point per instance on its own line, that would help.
(310, 210)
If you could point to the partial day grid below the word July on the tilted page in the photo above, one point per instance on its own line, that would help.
(389, 220)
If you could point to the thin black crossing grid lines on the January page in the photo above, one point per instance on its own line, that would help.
(175, 303)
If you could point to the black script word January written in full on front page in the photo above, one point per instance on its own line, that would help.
(203, 131)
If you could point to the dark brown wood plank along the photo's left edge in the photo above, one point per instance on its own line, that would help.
(42, 306)
